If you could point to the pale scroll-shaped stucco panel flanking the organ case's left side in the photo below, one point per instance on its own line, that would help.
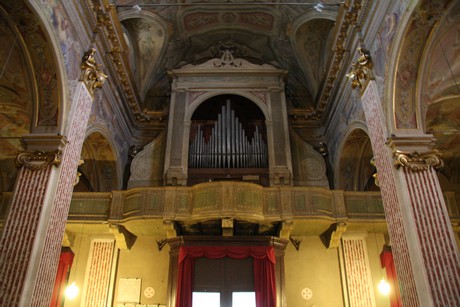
(147, 167)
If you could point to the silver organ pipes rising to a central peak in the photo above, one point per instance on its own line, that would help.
(228, 145)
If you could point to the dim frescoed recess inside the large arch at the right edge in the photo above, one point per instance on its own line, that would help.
(439, 94)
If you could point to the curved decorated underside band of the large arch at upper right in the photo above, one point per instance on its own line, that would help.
(404, 112)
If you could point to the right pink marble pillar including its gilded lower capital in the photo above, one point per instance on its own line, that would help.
(425, 253)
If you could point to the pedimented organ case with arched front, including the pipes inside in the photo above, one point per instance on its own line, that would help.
(228, 121)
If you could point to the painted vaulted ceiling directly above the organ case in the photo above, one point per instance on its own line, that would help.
(261, 33)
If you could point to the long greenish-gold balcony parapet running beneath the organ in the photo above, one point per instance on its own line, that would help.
(228, 199)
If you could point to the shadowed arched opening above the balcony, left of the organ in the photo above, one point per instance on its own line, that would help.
(100, 171)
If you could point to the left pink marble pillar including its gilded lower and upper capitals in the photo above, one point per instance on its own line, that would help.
(32, 238)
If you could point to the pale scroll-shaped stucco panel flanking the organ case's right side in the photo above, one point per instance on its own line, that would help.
(308, 164)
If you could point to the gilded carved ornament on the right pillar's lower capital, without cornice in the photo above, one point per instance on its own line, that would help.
(418, 161)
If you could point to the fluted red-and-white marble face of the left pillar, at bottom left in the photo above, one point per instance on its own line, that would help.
(22, 228)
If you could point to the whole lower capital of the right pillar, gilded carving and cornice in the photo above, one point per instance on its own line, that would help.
(418, 153)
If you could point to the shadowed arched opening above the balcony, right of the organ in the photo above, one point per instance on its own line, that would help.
(354, 169)
